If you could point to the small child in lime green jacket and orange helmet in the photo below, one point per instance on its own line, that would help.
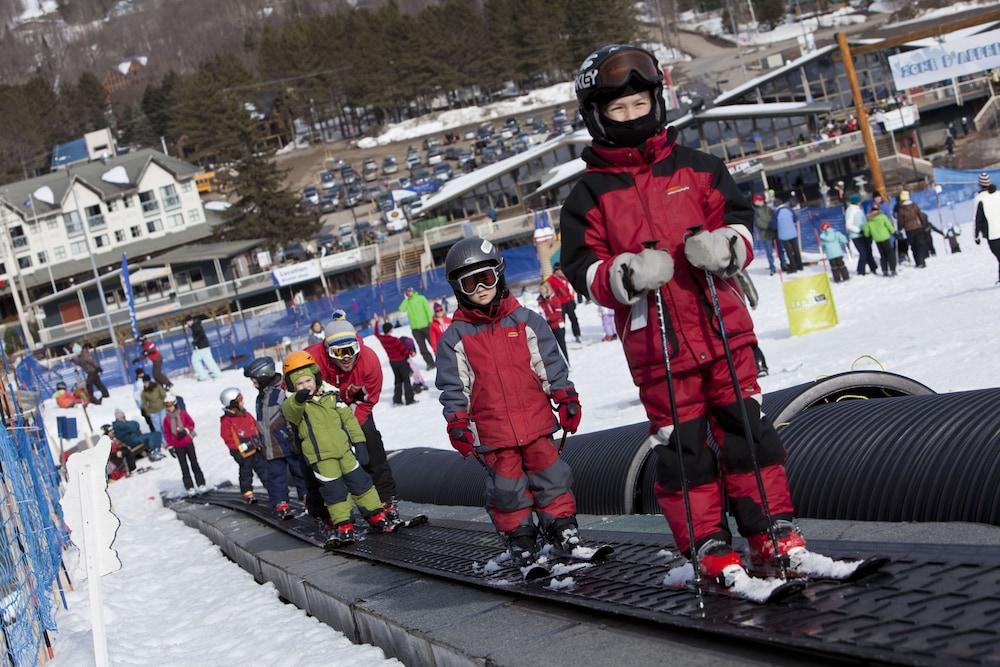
(330, 436)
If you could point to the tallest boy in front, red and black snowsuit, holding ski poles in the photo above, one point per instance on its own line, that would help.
(700, 222)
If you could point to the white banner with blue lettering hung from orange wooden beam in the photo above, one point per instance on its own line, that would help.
(947, 60)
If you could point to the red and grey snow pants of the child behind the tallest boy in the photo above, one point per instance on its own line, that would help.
(526, 479)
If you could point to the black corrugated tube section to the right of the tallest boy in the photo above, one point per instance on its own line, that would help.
(917, 458)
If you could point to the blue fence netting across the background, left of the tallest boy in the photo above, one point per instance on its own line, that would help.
(234, 340)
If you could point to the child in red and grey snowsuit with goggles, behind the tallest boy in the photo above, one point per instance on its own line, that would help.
(498, 366)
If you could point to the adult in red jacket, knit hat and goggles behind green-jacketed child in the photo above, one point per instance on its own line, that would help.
(354, 369)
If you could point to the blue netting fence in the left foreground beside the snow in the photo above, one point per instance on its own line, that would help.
(32, 538)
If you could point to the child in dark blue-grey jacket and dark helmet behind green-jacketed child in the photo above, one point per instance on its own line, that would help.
(283, 459)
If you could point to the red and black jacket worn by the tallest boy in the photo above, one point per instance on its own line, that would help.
(658, 192)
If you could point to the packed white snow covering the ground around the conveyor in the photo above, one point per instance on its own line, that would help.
(179, 601)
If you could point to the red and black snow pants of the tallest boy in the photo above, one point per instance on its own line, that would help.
(706, 403)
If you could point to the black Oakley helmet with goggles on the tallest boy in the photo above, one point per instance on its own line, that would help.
(609, 73)
